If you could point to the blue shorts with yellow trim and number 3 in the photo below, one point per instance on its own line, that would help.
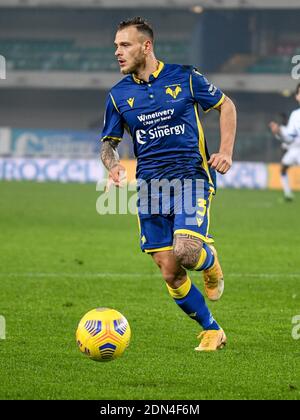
(186, 211)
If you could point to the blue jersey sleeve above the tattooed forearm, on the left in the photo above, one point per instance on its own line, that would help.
(113, 124)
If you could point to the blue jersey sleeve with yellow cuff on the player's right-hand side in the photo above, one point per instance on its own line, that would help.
(207, 95)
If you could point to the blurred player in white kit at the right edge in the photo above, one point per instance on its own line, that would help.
(289, 135)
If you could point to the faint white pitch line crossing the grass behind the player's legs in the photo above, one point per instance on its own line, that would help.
(145, 275)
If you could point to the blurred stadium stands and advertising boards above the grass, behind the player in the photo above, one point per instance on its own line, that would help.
(60, 65)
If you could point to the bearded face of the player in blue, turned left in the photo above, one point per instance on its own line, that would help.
(130, 50)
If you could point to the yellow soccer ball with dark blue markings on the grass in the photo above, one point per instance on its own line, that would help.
(103, 334)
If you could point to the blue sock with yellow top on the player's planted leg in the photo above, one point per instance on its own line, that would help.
(192, 302)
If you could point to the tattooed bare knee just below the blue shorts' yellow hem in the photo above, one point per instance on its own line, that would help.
(187, 250)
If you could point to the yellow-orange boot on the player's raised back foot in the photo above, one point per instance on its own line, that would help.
(214, 279)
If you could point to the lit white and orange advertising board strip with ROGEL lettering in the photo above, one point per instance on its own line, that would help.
(249, 175)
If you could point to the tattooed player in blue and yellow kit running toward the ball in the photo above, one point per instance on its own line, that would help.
(157, 104)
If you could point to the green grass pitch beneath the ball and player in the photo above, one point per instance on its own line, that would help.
(59, 259)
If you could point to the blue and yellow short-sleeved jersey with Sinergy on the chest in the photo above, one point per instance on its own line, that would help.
(162, 117)
